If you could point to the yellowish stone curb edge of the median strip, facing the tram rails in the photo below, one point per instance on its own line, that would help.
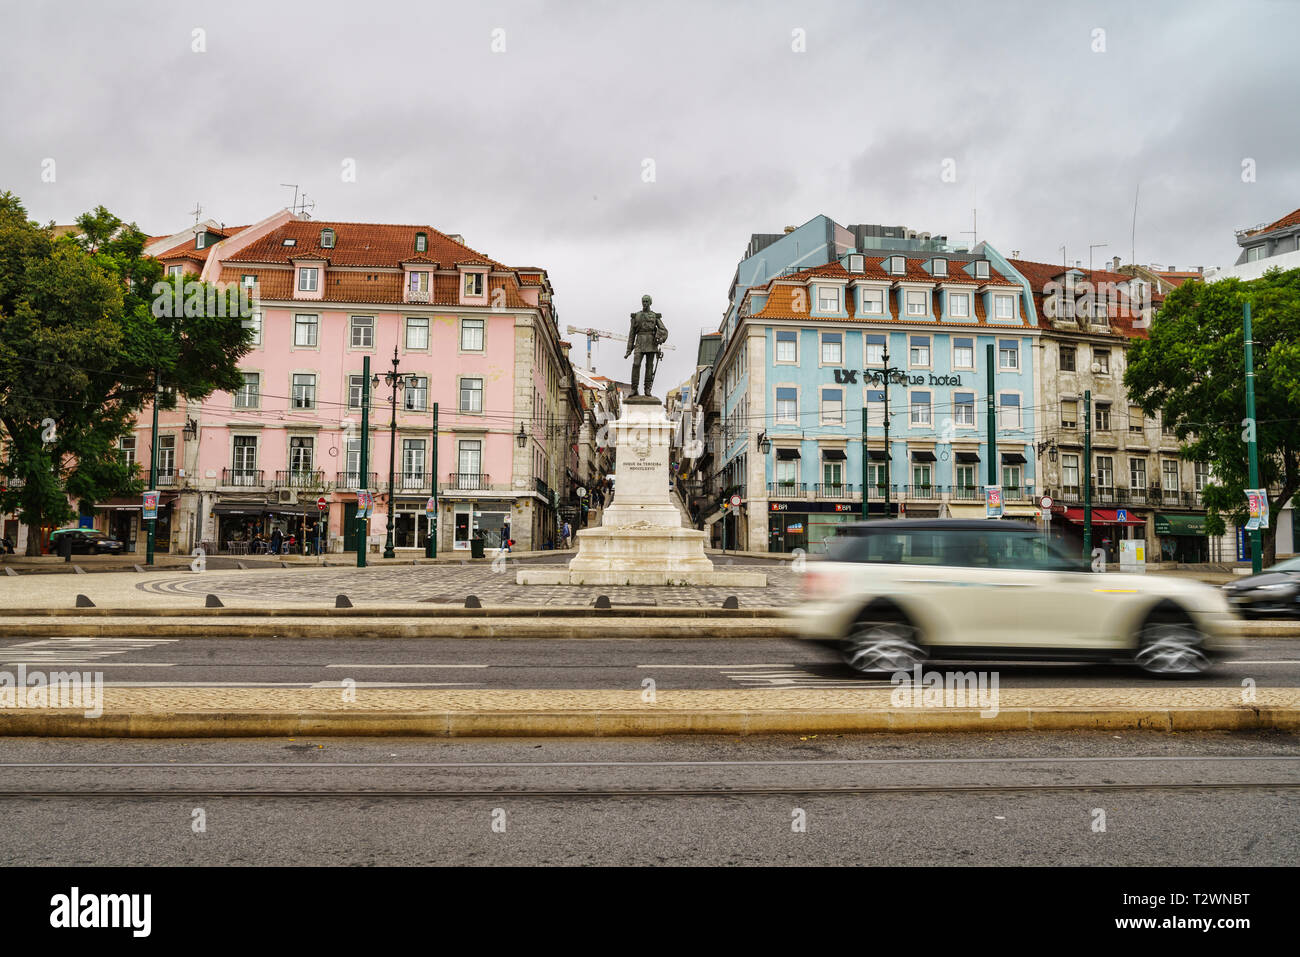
(647, 722)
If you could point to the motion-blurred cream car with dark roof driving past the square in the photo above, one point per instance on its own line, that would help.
(894, 594)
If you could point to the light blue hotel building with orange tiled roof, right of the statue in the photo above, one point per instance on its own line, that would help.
(891, 321)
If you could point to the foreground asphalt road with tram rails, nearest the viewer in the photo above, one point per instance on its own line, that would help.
(1016, 799)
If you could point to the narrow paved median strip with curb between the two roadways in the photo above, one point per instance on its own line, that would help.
(283, 712)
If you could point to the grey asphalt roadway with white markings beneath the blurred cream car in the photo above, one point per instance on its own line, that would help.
(592, 664)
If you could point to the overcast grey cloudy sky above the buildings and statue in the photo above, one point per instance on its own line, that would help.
(536, 154)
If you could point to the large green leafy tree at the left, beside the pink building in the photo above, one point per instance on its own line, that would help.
(81, 349)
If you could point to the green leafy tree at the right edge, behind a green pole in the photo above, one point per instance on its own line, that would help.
(1193, 371)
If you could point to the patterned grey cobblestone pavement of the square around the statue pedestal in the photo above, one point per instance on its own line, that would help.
(452, 584)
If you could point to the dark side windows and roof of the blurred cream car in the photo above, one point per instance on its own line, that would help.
(963, 548)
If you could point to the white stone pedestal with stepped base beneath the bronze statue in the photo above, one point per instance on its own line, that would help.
(642, 540)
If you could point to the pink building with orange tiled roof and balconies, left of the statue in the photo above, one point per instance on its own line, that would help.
(469, 334)
